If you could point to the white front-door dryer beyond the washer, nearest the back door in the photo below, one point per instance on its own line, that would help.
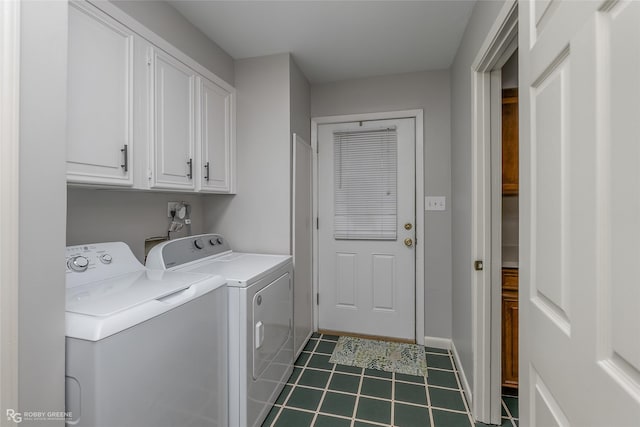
(260, 317)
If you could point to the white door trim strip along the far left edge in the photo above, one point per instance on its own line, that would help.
(9, 191)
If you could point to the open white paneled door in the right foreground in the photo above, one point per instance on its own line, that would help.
(580, 213)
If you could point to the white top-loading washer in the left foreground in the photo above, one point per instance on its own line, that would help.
(143, 348)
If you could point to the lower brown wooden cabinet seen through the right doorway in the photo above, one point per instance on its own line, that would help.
(510, 327)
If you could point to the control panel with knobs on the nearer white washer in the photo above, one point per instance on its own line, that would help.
(98, 261)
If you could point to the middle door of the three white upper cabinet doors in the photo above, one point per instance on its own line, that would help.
(174, 124)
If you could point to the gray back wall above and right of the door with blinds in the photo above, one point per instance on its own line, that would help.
(428, 90)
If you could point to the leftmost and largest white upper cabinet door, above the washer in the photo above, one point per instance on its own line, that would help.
(99, 140)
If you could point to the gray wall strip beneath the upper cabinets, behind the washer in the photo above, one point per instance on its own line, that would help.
(126, 216)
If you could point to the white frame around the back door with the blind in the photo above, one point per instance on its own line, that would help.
(416, 114)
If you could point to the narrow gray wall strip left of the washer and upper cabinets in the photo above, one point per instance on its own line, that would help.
(43, 84)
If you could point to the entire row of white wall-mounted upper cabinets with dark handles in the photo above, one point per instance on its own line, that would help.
(141, 113)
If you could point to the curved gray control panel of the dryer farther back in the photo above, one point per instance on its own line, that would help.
(177, 252)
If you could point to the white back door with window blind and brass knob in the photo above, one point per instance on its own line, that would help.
(366, 192)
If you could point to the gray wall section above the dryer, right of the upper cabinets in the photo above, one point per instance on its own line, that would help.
(258, 218)
